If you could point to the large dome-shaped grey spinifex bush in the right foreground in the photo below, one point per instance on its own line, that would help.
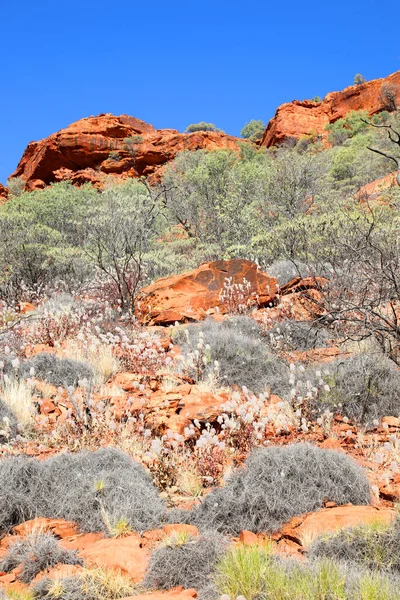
(278, 483)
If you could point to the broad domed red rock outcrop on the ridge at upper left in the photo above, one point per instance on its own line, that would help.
(92, 148)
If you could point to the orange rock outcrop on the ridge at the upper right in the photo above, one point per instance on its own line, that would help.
(299, 118)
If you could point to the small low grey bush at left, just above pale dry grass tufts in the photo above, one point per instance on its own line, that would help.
(57, 371)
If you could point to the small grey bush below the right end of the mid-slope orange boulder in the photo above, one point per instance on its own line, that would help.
(297, 335)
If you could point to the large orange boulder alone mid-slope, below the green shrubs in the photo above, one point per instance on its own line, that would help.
(193, 295)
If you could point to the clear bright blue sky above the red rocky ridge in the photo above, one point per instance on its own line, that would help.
(177, 62)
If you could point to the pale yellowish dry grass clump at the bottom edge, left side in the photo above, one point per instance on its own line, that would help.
(93, 584)
